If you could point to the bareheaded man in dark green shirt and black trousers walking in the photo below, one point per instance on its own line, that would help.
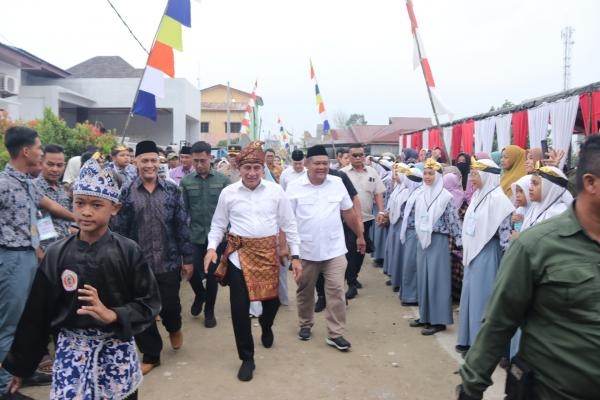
(201, 190)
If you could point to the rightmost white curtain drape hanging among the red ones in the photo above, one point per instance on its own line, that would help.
(562, 116)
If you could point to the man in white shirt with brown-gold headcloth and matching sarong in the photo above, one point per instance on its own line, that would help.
(257, 210)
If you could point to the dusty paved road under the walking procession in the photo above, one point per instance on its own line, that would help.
(388, 360)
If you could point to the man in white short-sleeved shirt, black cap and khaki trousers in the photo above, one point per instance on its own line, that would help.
(317, 200)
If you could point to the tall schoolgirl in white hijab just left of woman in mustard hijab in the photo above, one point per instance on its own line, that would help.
(486, 234)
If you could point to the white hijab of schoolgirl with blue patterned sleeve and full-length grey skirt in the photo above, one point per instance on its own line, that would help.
(429, 207)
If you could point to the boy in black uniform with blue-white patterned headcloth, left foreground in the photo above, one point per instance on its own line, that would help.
(97, 291)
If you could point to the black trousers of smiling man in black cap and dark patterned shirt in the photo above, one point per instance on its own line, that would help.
(149, 341)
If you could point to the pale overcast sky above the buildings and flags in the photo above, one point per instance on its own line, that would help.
(481, 51)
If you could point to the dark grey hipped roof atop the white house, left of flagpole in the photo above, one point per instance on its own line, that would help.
(105, 67)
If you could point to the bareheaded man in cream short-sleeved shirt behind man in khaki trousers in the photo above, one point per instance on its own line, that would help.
(370, 190)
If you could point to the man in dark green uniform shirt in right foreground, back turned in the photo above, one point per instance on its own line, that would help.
(549, 285)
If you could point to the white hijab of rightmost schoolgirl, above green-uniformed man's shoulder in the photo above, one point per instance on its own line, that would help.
(555, 200)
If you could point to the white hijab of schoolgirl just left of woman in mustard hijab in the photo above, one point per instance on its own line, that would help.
(488, 208)
